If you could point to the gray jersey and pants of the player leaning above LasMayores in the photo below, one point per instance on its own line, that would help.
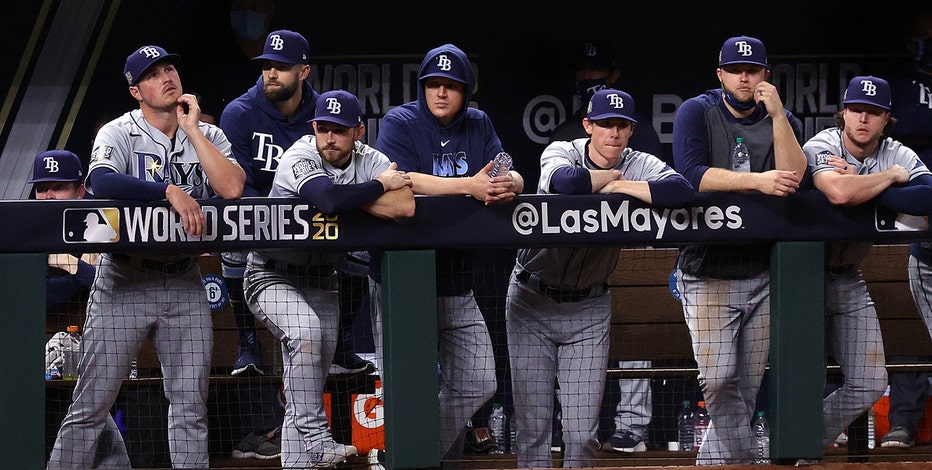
(554, 335)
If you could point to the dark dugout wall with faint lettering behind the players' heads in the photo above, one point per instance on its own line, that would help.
(523, 51)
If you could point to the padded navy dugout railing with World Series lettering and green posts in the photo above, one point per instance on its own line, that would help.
(799, 225)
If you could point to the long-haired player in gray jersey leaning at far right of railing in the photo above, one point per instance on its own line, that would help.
(853, 163)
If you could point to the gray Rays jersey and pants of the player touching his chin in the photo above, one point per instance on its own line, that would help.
(157, 295)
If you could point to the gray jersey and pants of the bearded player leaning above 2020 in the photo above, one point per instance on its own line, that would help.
(301, 308)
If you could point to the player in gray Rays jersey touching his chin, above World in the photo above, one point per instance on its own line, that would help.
(157, 152)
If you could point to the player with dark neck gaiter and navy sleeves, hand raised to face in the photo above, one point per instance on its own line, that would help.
(725, 289)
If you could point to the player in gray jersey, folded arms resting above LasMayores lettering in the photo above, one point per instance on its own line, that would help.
(558, 308)
